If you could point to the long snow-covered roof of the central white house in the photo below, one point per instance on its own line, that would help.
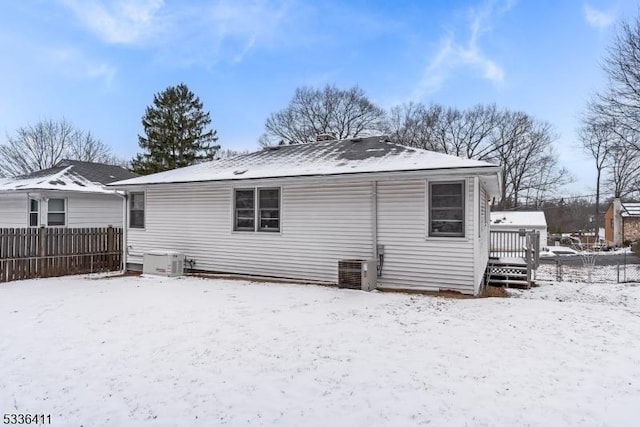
(349, 156)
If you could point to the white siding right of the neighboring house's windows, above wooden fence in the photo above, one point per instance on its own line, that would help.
(94, 210)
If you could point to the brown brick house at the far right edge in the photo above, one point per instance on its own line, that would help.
(622, 223)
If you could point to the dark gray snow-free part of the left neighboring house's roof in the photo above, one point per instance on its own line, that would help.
(94, 172)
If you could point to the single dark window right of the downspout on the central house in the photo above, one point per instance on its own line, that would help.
(446, 209)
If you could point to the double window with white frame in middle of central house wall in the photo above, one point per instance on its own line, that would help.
(261, 213)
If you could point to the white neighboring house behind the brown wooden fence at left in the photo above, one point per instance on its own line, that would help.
(70, 194)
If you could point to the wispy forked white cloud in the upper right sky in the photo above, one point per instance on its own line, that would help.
(452, 56)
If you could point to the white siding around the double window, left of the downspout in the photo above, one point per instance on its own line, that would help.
(320, 225)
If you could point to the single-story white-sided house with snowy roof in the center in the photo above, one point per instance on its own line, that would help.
(295, 211)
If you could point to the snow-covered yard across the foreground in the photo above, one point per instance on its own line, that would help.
(189, 351)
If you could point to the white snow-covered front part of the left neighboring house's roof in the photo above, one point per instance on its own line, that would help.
(63, 180)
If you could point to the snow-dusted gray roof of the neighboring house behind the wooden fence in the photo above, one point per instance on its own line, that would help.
(68, 175)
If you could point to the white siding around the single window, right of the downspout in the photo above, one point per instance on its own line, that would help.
(413, 260)
